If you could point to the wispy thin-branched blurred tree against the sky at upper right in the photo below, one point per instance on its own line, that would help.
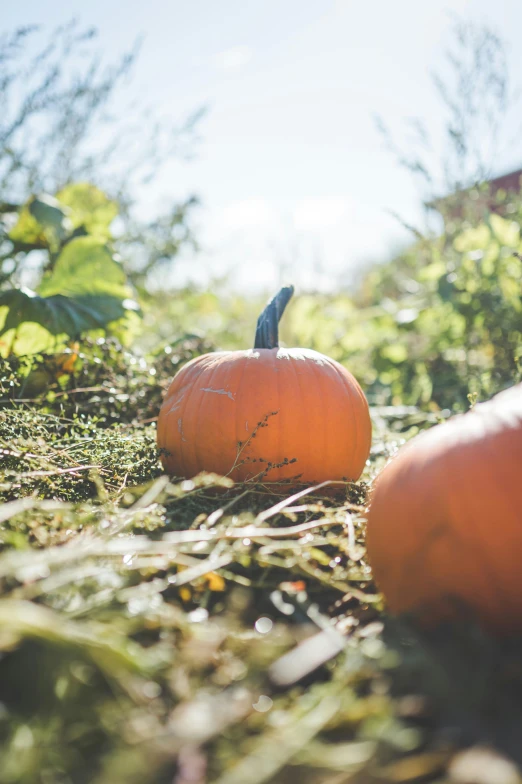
(473, 85)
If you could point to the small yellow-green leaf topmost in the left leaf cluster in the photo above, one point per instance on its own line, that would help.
(90, 208)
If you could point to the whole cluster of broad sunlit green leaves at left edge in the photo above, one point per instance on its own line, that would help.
(84, 288)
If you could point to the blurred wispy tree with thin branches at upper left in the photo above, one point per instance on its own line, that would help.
(58, 127)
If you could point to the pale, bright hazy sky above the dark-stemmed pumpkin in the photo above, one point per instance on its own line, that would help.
(291, 170)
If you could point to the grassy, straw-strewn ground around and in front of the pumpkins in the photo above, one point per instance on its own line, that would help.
(155, 631)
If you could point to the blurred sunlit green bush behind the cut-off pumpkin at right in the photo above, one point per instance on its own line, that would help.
(453, 314)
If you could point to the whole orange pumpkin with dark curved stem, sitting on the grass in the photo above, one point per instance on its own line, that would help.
(268, 412)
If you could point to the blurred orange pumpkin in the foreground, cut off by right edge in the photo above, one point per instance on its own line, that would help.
(444, 535)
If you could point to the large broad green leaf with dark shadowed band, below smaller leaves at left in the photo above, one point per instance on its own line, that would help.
(86, 291)
